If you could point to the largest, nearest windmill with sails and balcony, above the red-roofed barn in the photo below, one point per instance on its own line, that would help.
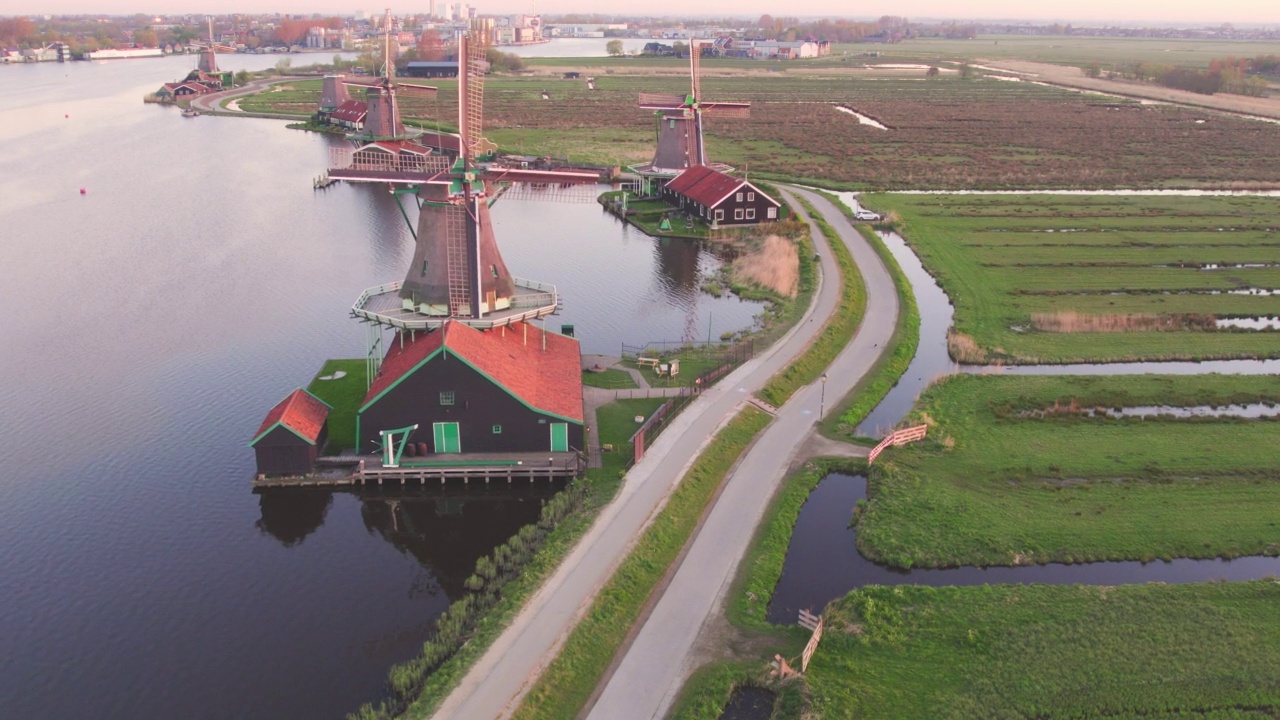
(458, 272)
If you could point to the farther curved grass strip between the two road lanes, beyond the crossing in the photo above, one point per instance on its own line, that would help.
(836, 332)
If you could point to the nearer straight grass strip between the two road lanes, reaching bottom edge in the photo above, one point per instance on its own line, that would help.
(570, 680)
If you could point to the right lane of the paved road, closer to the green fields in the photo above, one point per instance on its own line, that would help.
(657, 663)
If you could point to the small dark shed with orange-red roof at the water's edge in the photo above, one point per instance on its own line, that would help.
(292, 435)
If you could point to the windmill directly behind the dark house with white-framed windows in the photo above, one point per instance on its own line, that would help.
(680, 122)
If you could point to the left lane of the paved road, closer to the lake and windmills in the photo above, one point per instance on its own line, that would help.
(501, 678)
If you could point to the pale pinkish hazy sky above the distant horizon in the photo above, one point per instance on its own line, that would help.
(1080, 11)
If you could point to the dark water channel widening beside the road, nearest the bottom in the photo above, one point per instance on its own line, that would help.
(824, 562)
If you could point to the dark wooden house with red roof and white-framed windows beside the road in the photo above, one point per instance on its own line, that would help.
(720, 199)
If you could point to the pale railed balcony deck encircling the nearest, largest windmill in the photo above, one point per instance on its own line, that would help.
(385, 306)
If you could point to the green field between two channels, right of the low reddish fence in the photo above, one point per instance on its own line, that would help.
(994, 486)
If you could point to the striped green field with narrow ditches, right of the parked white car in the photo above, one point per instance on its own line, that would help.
(1025, 272)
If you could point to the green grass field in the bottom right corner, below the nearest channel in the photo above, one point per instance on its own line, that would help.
(1052, 653)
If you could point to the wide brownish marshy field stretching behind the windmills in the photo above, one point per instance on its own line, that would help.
(947, 133)
